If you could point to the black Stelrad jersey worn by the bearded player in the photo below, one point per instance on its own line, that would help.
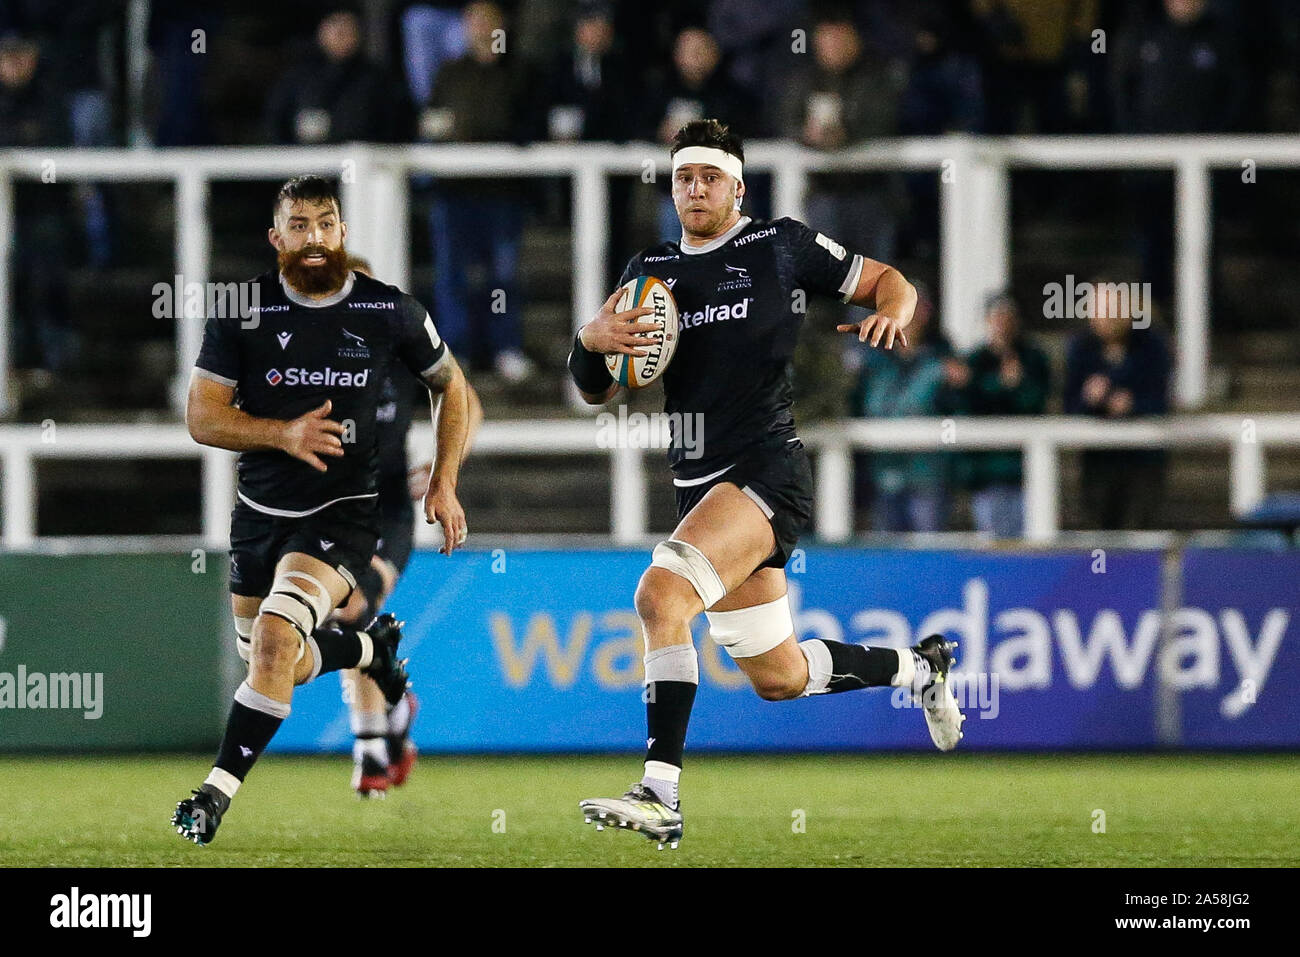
(293, 354)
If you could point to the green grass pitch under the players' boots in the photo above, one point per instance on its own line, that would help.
(753, 811)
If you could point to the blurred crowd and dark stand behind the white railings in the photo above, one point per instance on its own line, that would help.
(174, 73)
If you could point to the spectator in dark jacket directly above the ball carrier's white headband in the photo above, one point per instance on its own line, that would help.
(696, 89)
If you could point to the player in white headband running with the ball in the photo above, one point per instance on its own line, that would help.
(744, 505)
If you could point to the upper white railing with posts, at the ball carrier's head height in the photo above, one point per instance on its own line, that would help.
(974, 207)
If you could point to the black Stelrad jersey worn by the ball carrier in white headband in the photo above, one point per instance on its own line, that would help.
(740, 300)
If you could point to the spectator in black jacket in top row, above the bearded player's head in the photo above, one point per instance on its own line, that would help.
(336, 96)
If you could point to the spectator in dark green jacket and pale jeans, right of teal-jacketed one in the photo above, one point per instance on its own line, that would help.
(1006, 376)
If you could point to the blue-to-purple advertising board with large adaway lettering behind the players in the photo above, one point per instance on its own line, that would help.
(541, 651)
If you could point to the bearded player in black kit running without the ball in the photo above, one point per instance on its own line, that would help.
(296, 393)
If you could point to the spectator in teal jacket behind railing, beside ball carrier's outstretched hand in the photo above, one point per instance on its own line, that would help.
(912, 491)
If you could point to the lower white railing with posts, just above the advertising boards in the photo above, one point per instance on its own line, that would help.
(833, 444)
